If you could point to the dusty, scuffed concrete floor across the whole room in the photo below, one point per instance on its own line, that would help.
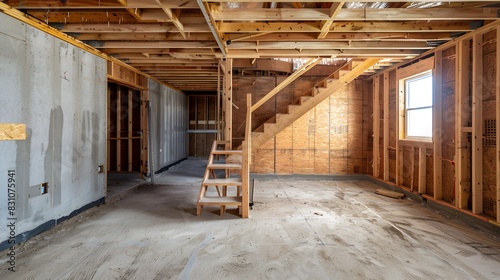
(297, 230)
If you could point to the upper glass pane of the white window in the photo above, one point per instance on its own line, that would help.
(419, 92)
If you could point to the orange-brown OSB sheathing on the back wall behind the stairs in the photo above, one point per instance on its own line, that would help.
(329, 139)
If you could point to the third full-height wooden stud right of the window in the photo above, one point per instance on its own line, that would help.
(477, 124)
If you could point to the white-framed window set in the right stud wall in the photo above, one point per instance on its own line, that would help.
(418, 107)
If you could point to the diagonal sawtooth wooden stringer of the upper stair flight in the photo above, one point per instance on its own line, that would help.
(259, 138)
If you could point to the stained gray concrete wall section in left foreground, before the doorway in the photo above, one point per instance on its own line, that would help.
(59, 92)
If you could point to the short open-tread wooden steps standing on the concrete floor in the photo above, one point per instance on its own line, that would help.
(223, 198)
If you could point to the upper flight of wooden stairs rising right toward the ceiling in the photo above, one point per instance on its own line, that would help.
(321, 91)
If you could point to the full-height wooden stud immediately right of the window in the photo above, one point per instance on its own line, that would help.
(437, 126)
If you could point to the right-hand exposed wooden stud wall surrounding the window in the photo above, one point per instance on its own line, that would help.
(468, 86)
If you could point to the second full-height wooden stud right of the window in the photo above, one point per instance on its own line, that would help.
(462, 150)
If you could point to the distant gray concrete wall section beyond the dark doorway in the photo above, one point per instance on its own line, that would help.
(168, 125)
